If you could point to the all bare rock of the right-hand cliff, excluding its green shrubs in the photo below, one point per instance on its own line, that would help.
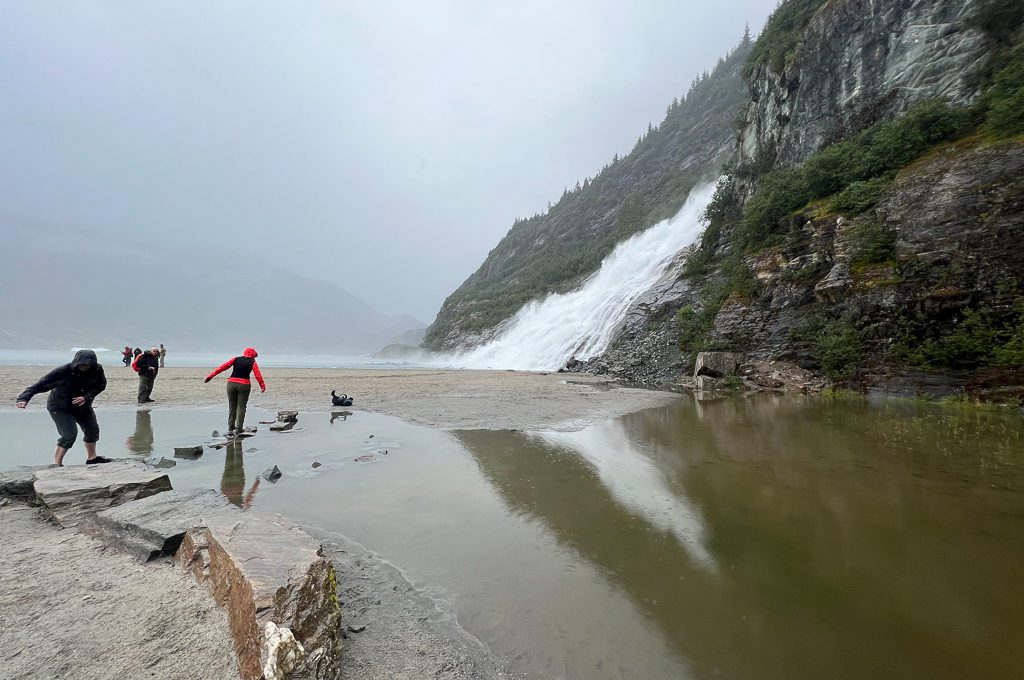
(956, 218)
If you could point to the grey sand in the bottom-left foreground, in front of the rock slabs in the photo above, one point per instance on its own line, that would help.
(73, 609)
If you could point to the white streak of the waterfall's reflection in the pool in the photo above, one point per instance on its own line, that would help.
(634, 481)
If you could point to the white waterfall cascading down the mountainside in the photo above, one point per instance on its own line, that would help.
(545, 334)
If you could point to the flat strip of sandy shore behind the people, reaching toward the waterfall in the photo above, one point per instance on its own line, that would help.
(451, 400)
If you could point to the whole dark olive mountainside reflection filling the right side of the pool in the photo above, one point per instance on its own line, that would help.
(887, 535)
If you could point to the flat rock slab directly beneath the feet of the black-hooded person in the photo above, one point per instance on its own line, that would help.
(73, 493)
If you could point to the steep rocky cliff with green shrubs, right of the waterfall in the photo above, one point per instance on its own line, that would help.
(872, 227)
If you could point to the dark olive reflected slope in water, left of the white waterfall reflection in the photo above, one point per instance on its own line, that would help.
(642, 558)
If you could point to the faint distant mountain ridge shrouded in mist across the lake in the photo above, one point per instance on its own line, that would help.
(64, 290)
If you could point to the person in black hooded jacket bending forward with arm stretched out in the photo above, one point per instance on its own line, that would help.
(72, 388)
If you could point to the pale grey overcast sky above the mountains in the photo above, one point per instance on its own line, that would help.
(383, 146)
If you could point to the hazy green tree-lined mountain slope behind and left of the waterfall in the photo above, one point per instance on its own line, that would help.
(557, 250)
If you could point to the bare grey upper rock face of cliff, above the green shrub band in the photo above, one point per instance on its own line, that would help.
(860, 62)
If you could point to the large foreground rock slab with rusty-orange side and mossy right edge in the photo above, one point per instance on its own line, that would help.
(264, 569)
